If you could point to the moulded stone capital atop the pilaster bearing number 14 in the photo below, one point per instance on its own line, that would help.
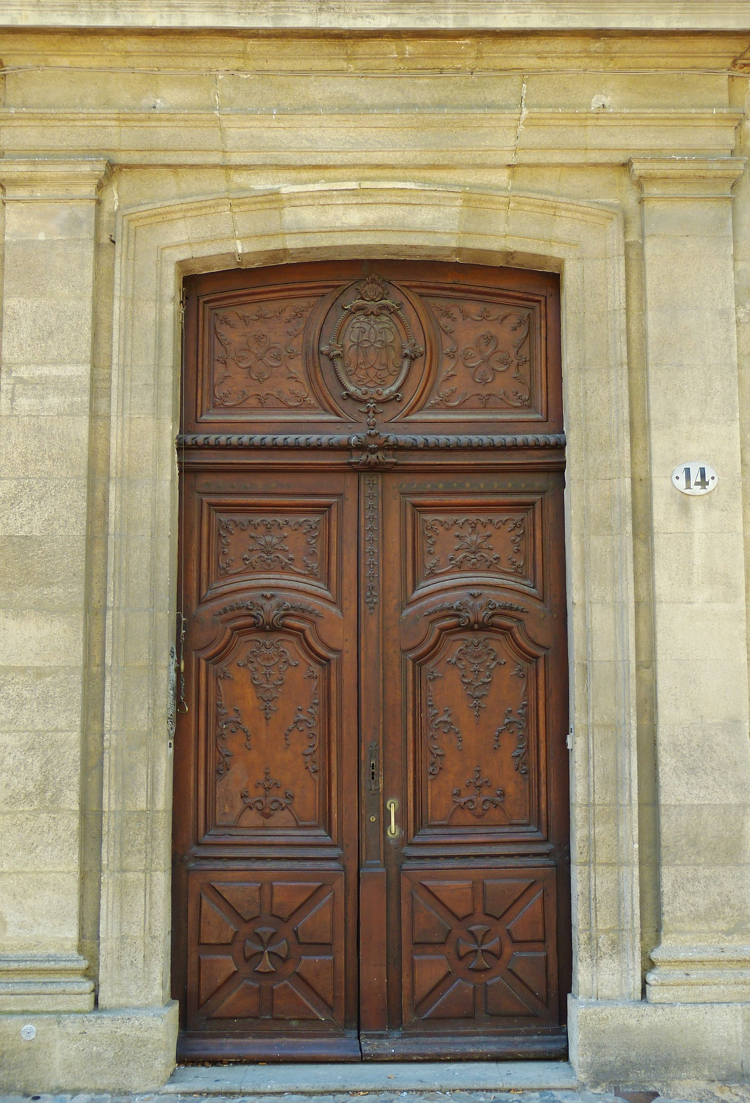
(687, 178)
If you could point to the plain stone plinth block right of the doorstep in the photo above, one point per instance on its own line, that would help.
(652, 1045)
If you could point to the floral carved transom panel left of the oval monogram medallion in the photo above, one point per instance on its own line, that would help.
(254, 355)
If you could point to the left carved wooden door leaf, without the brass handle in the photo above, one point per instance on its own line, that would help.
(267, 939)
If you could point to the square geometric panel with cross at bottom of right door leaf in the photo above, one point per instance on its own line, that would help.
(479, 945)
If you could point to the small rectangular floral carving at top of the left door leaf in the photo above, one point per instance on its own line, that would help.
(267, 544)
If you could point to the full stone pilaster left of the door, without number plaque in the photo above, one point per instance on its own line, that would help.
(48, 298)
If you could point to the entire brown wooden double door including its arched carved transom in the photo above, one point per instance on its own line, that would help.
(371, 776)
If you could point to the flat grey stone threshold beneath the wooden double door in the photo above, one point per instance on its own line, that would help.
(317, 1079)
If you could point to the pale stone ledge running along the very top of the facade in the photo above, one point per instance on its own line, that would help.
(383, 15)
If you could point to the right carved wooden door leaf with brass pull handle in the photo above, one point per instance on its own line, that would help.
(474, 684)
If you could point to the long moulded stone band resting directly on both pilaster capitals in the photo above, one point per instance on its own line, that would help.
(235, 137)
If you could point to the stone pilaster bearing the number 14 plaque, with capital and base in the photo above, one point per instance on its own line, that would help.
(700, 618)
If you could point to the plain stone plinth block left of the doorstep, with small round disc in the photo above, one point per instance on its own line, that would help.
(128, 1050)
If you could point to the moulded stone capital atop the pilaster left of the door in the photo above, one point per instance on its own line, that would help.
(45, 179)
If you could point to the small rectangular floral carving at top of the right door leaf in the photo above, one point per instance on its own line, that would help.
(475, 549)
